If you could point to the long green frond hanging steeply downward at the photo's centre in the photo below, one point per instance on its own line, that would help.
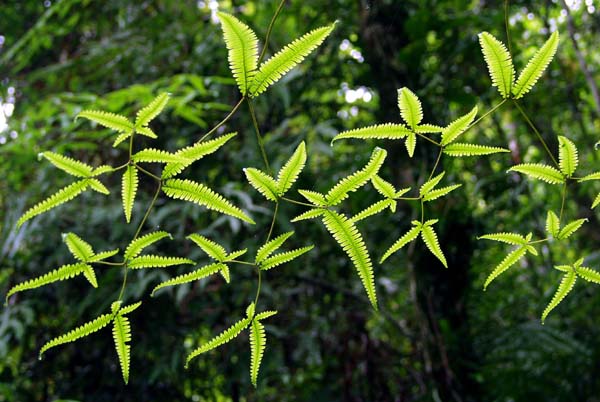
(349, 238)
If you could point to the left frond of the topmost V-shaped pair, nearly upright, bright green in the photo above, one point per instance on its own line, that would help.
(242, 46)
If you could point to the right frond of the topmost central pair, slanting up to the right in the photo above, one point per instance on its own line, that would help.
(287, 58)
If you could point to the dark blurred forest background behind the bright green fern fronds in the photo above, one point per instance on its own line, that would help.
(438, 336)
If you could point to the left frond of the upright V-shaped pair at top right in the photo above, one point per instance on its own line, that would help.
(499, 63)
